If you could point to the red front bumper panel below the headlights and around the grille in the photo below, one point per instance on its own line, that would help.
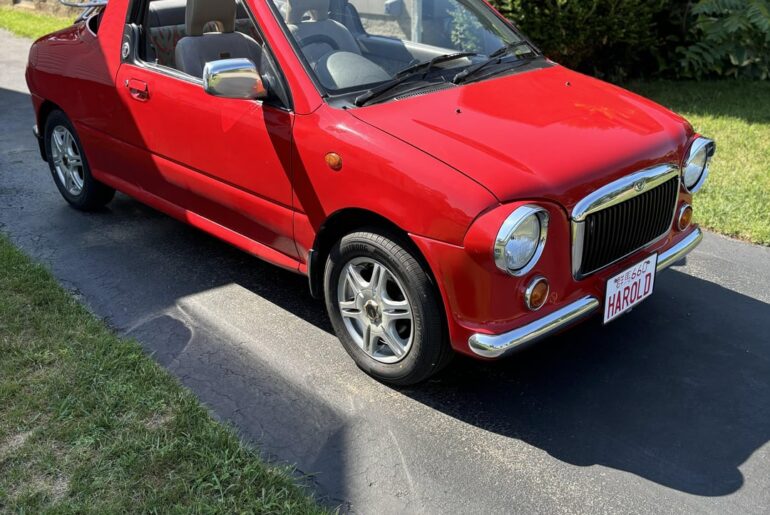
(479, 298)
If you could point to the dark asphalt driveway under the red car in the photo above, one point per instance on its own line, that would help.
(668, 409)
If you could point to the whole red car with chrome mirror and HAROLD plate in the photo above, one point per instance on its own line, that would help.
(443, 185)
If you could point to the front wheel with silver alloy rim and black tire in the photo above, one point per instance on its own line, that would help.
(385, 309)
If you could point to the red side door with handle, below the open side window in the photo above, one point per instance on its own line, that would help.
(227, 160)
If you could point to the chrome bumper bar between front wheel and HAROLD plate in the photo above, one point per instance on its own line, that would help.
(494, 346)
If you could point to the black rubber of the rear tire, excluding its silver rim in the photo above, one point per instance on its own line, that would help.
(93, 194)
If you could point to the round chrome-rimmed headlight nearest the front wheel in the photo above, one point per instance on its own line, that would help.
(521, 240)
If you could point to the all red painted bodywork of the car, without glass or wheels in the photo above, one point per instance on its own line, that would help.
(447, 167)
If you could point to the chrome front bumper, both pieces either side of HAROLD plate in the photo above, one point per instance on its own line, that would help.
(495, 346)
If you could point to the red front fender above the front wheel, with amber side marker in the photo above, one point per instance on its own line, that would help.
(380, 174)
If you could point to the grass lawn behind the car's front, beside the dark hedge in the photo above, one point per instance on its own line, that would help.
(736, 199)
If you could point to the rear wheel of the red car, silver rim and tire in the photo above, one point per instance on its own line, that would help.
(69, 166)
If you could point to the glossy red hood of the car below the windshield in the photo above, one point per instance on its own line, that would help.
(550, 133)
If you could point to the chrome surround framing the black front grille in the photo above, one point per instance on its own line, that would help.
(614, 194)
